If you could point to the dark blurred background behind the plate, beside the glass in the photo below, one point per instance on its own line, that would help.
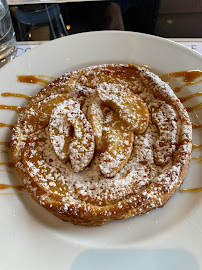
(165, 18)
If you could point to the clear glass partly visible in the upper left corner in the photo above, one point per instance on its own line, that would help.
(7, 35)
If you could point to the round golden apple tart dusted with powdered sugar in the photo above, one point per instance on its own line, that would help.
(103, 143)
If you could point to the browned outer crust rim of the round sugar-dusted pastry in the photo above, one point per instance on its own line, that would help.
(93, 215)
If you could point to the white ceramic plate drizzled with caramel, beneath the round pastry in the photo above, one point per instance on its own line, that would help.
(32, 238)
